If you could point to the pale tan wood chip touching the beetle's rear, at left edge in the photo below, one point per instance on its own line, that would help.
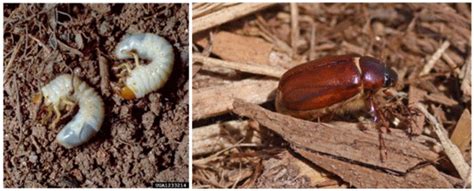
(213, 101)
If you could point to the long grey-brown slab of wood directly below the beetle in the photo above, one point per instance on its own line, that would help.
(342, 139)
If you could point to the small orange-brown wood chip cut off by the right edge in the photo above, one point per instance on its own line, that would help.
(461, 136)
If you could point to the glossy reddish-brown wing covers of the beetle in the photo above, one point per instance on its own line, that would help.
(320, 83)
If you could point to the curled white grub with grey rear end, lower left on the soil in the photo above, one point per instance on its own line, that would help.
(66, 89)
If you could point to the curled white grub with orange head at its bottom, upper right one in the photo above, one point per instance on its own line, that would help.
(144, 79)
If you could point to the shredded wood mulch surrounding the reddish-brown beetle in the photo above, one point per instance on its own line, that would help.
(427, 44)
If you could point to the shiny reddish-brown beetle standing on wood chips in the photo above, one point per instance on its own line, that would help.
(333, 84)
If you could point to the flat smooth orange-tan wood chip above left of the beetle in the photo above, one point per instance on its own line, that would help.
(238, 48)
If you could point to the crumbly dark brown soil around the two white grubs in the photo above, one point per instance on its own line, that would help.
(141, 141)
